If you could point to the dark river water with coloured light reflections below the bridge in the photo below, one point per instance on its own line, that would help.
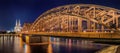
(58, 45)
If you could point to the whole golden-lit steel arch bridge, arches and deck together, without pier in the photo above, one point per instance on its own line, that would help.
(77, 20)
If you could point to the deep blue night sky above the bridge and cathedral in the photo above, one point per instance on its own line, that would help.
(29, 10)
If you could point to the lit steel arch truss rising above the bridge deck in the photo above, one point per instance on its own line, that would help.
(77, 18)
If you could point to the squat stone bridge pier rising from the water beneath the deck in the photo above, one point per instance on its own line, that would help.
(35, 39)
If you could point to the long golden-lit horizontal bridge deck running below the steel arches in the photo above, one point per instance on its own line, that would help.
(78, 34)
